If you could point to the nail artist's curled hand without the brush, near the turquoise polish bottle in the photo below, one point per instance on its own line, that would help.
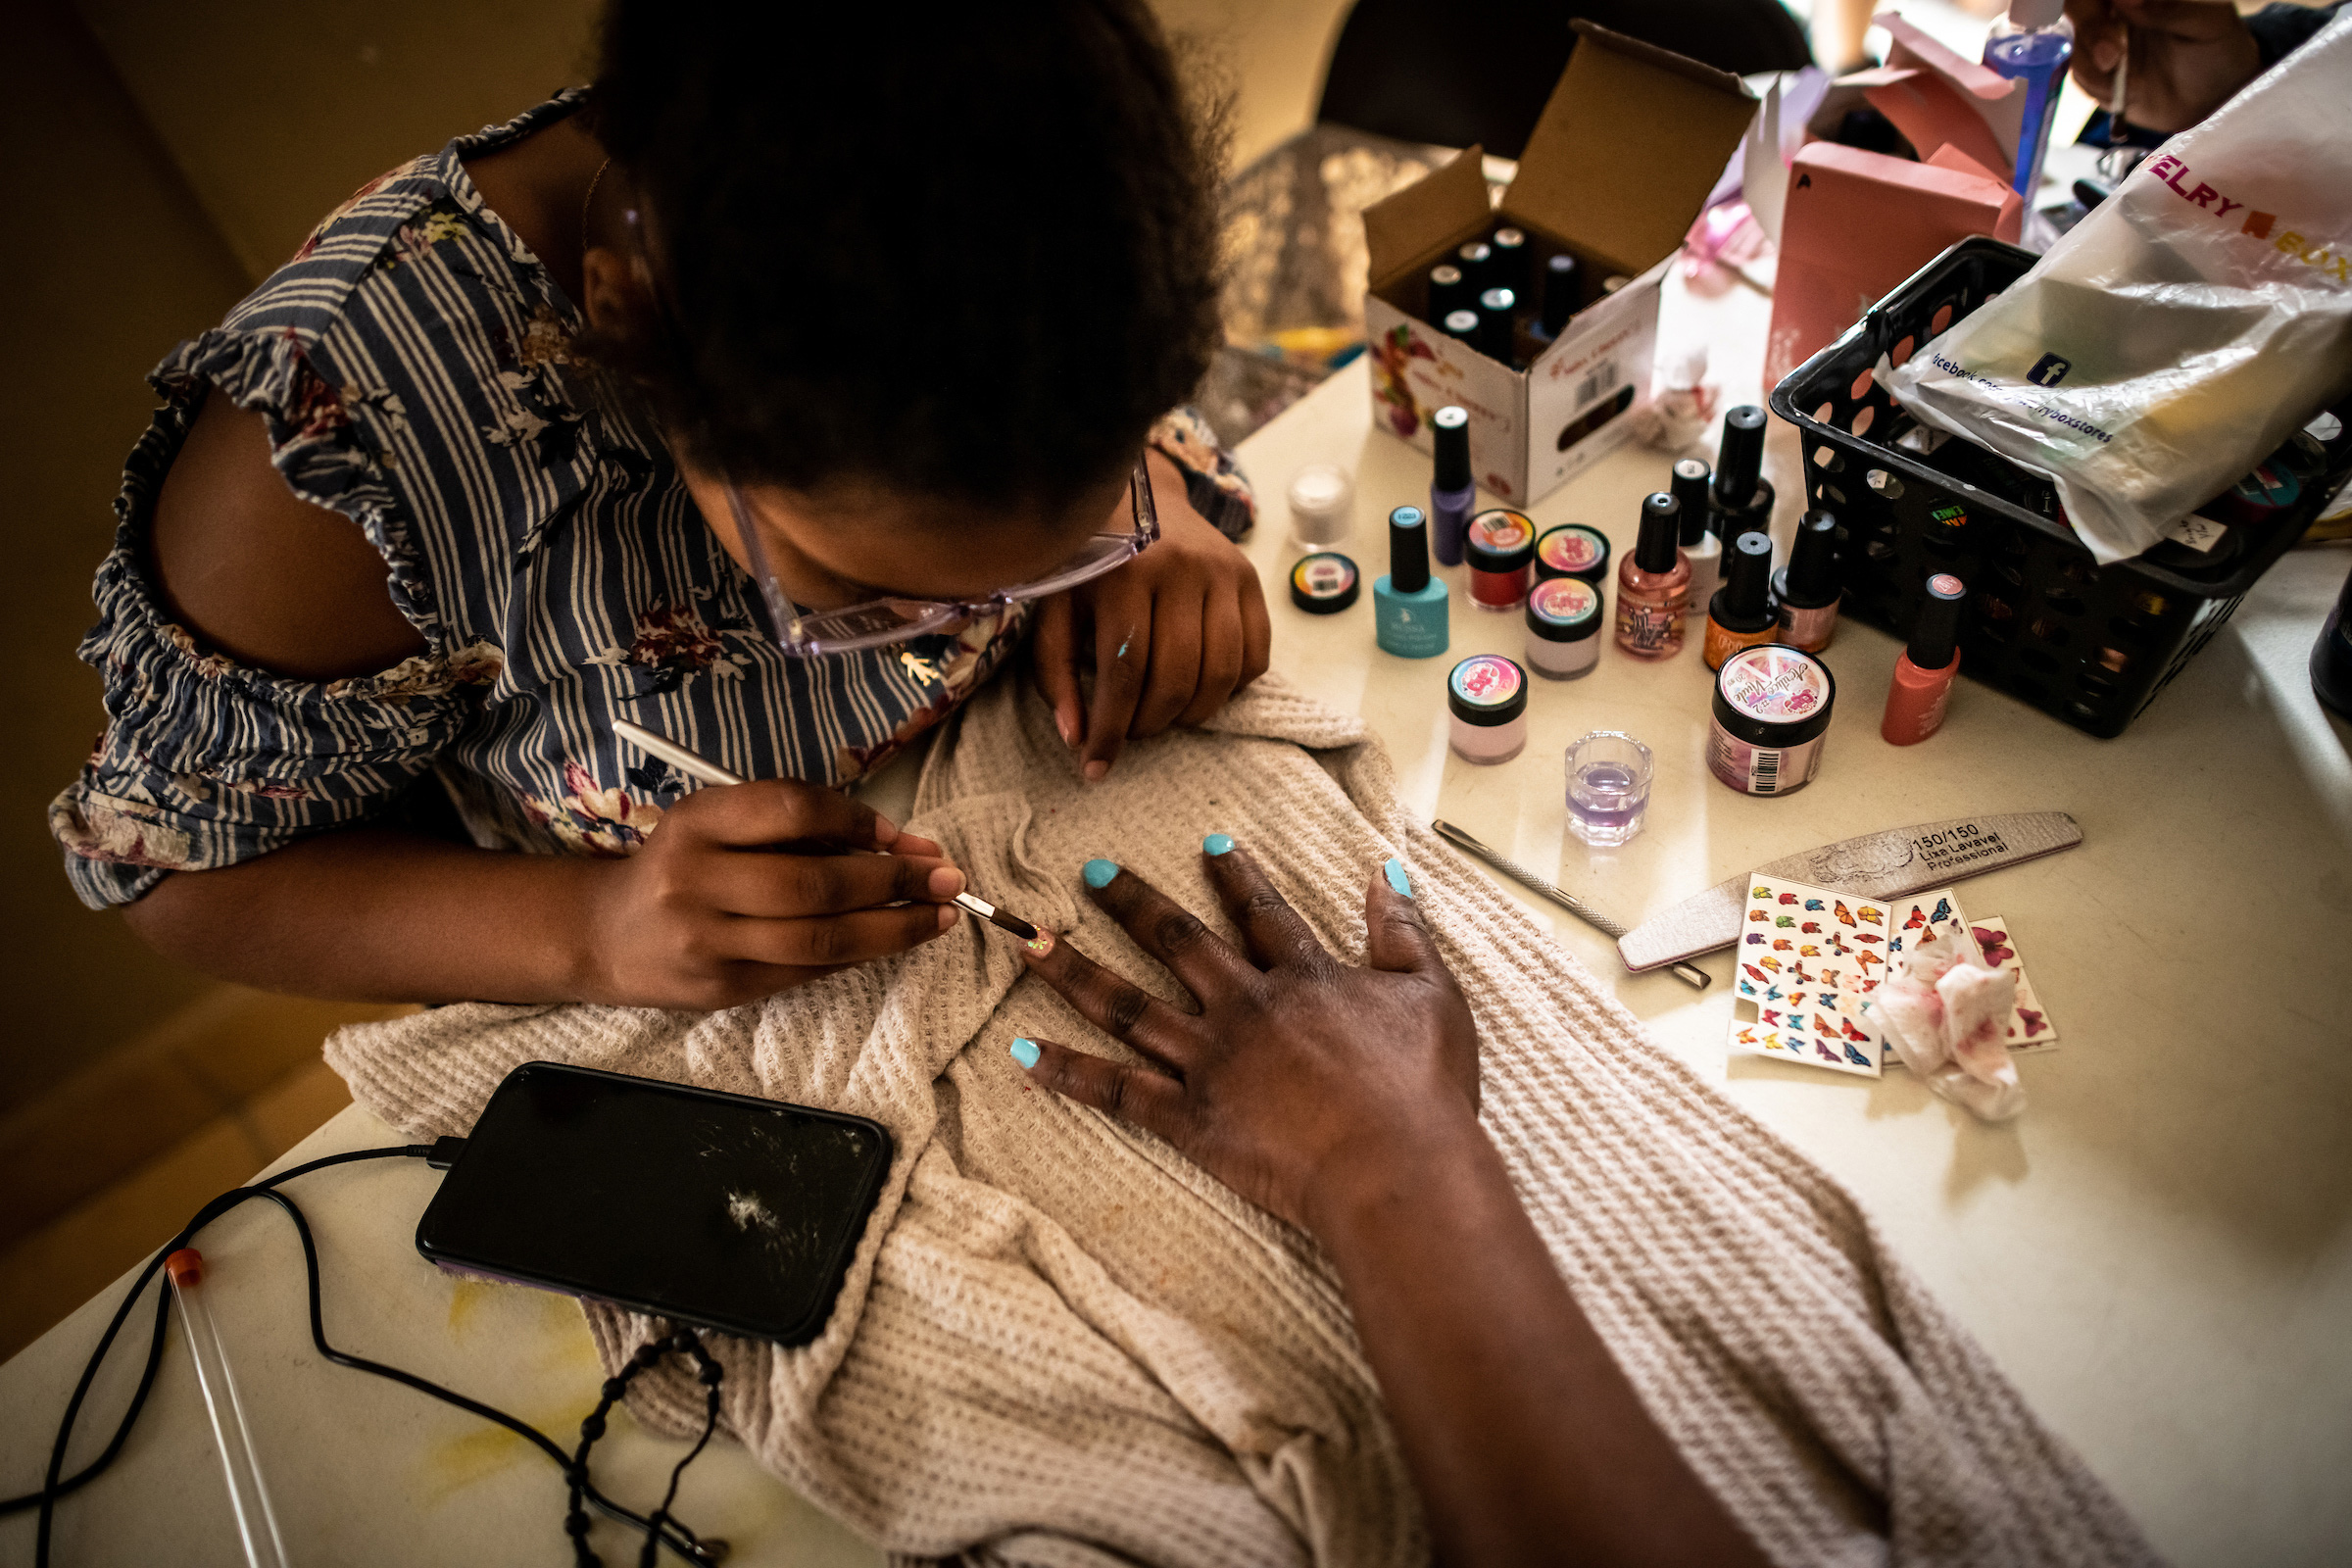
(1170, 636)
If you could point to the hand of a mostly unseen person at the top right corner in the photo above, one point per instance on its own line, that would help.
(2189, 58)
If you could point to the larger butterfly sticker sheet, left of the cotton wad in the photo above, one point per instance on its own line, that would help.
(1810, 960)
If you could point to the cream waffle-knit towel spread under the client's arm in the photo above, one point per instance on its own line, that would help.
(1062, 1343)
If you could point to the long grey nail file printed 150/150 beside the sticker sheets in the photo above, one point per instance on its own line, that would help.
(1873, 866)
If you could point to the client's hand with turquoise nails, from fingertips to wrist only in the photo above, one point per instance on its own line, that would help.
(1299, 1076)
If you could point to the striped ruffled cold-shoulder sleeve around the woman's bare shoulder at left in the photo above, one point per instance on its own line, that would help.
(208, 763)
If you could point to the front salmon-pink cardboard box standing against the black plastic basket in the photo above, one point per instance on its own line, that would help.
(1857, 225)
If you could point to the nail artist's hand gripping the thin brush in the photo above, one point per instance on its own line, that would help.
(711, 916)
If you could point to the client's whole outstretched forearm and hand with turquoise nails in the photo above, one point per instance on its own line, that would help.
(1347, 1101)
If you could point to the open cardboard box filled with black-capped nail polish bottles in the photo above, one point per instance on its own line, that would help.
(1615, 173)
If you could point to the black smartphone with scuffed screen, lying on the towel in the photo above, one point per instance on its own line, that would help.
(702, 1207)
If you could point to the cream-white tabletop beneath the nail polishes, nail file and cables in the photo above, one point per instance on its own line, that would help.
(2160, 1252)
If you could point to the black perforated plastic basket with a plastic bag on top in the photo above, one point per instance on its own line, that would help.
(2045, 624)
